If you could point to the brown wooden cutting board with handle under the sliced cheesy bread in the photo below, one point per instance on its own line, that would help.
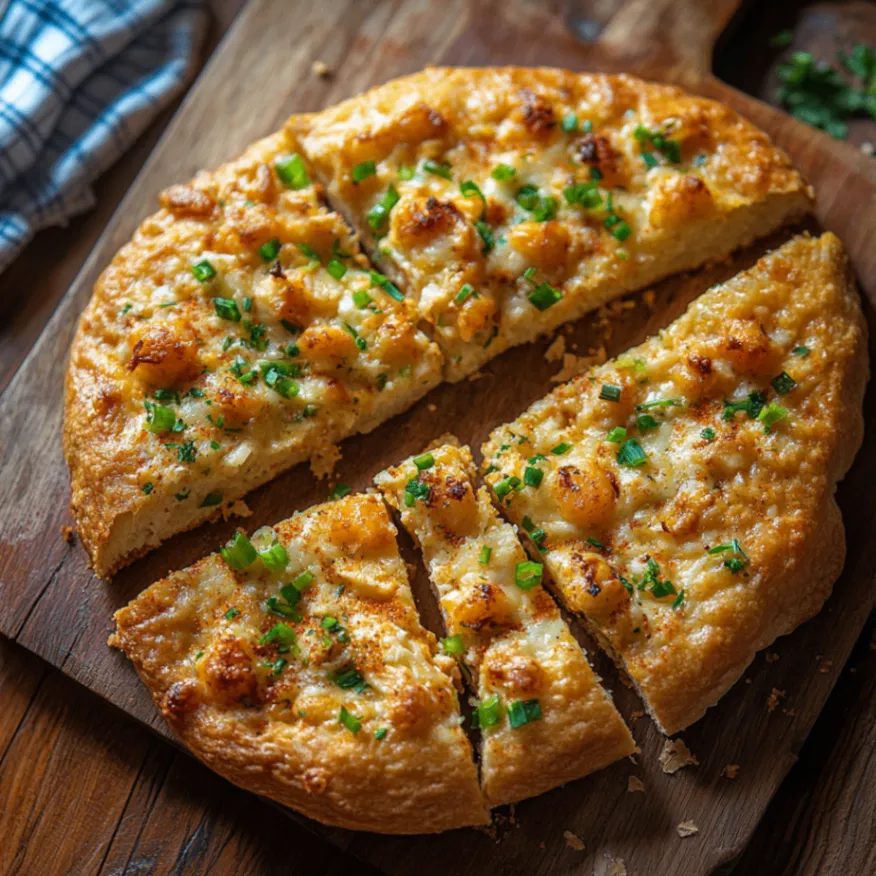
(53, 605)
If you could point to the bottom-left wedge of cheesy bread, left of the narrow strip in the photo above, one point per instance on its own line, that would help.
(304, 674)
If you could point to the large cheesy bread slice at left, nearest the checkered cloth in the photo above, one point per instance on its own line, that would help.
(239, 333)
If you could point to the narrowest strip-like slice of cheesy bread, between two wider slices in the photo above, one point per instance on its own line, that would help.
(544, 716)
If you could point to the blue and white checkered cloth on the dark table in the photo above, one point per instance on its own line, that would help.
(79, 81)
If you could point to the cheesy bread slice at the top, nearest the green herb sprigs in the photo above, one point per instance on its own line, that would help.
(506, 201)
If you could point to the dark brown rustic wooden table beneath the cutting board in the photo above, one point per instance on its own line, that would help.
(84, 790)
